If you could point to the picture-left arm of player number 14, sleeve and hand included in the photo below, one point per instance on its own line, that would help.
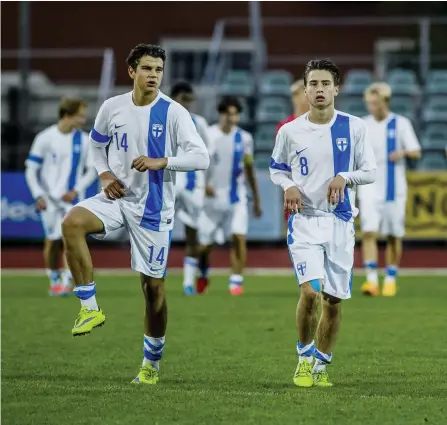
(100, 139)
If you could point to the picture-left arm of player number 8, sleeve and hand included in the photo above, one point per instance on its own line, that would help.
(281, 173)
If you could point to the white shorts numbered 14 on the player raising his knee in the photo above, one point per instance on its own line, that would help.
(149, 248)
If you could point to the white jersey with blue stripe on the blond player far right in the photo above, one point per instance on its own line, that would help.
(393, 133)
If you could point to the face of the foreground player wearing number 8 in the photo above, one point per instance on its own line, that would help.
(320, 90)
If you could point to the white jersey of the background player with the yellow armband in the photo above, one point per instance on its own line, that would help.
(226, 174)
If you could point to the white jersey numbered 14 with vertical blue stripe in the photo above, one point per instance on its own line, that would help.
(157, 130)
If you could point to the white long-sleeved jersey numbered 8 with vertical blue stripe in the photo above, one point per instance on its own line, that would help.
(309, 156)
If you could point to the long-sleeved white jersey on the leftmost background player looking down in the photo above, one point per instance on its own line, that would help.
(62, 159)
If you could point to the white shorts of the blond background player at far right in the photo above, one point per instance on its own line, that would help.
(386, 218)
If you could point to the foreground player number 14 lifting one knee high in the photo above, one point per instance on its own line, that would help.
(142, 130)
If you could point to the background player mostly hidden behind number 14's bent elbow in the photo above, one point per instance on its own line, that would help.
(190, 191)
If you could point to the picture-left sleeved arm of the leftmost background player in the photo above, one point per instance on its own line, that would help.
(33, 164)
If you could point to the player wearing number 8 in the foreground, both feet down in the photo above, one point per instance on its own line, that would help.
(318, 160)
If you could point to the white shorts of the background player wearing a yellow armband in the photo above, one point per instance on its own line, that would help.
(233, 220)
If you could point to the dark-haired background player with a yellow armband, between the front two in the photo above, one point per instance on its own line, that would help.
(226, 194)
